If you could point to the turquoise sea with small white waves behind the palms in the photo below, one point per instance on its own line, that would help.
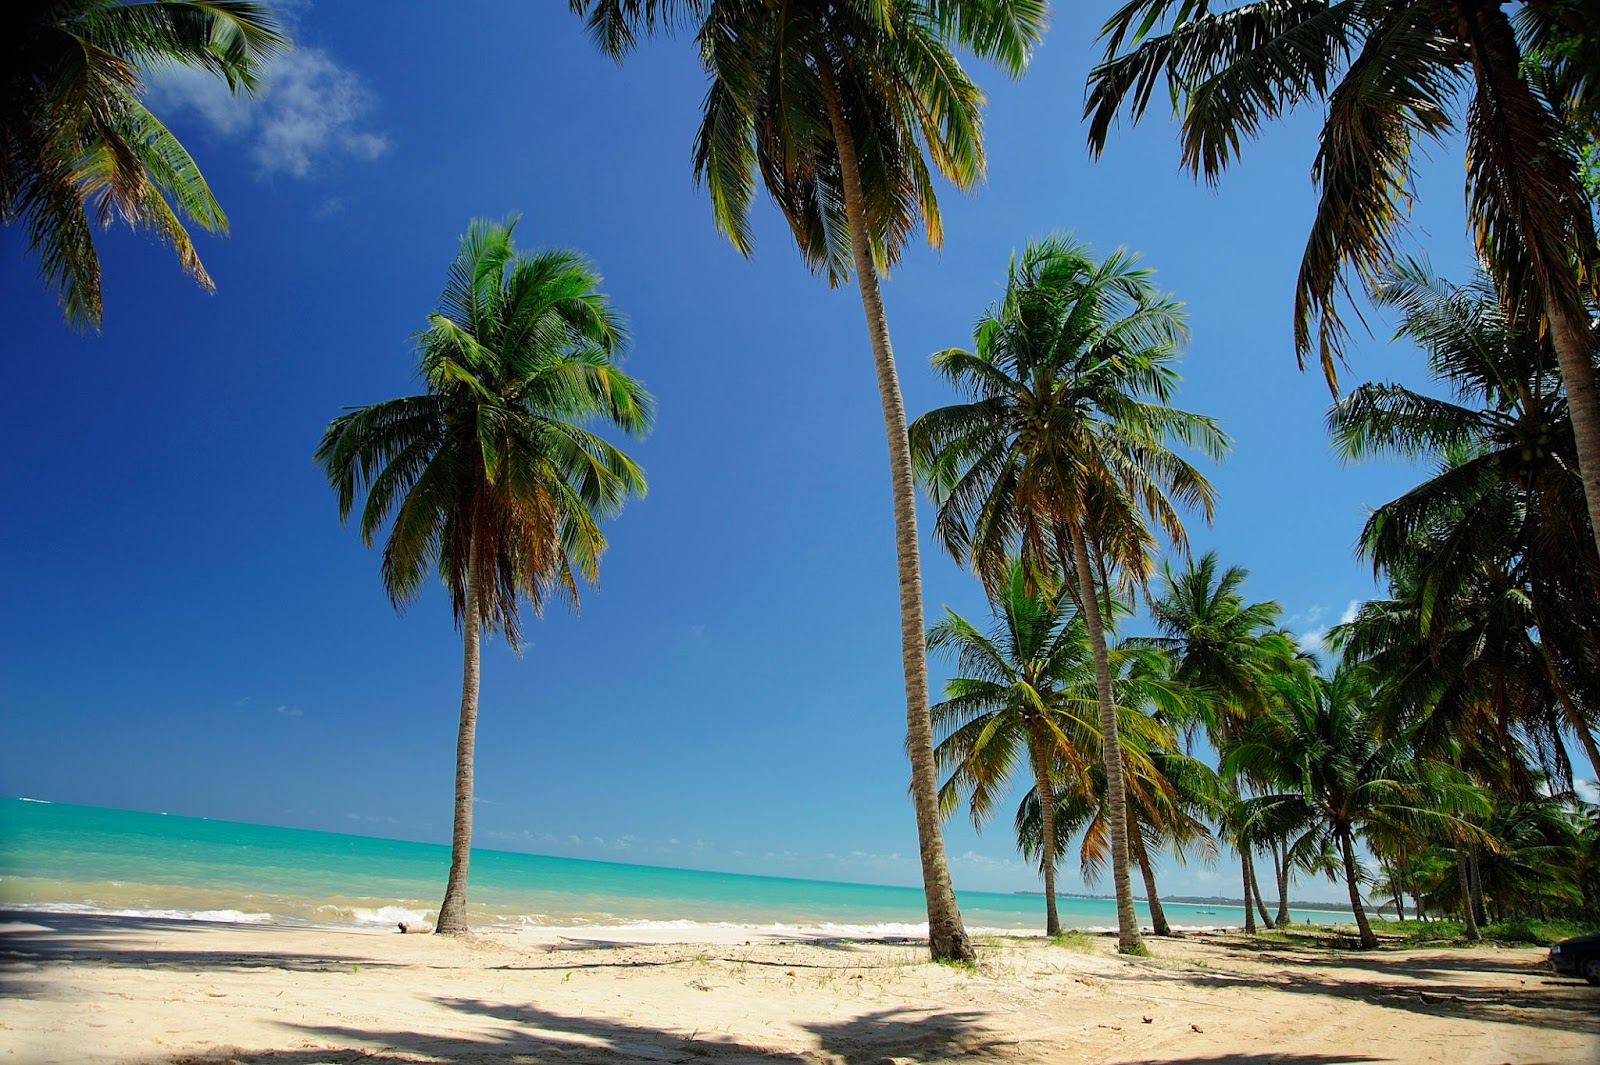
(55, 856)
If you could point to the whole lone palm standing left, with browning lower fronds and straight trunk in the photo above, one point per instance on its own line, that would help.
(490, 477)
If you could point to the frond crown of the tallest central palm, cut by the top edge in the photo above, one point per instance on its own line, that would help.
(782, 73)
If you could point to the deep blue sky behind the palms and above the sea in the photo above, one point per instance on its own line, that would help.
(190, 628)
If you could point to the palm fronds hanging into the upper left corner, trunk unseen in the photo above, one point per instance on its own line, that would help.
(78, 145)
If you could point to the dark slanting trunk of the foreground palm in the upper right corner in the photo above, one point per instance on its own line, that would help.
(1538, 186)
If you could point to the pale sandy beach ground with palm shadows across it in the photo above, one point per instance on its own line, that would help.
(97, 991)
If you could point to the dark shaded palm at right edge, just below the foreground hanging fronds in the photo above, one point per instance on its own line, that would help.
(1500, 530)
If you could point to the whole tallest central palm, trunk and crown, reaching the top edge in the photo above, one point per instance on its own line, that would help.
(841, 106)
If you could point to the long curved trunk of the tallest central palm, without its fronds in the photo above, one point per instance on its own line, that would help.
(946, 935)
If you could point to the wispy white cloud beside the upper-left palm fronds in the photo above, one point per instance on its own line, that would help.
(306, 113)
